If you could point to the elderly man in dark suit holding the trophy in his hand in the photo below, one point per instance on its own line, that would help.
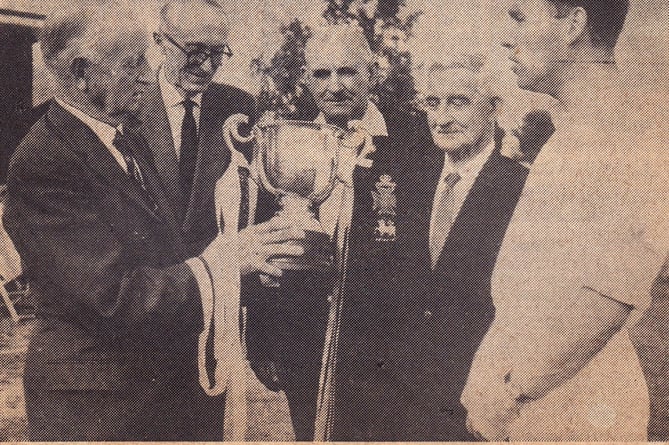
(119, 298)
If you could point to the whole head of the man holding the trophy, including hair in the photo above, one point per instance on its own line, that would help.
(96, 50)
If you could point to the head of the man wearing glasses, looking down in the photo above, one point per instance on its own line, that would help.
(193, 27)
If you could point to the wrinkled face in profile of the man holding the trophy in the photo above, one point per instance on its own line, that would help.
(117, 80)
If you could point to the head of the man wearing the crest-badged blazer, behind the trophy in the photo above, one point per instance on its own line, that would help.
(339, 72)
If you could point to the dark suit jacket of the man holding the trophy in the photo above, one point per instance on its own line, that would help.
(119, 311)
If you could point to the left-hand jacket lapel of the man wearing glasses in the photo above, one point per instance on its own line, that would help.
(156, 129)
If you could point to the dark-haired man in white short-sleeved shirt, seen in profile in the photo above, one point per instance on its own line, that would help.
(583, 247)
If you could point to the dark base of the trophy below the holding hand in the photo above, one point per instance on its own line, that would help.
(318, 254)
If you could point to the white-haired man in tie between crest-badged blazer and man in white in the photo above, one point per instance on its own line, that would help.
(475, 196)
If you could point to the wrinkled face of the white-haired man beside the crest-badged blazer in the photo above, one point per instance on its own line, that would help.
(461, 118)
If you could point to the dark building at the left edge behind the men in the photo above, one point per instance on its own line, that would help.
(18, 31)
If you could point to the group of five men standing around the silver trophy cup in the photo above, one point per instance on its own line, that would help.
(494, 309)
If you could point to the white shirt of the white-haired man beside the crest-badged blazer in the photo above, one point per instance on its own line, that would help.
(468, 170)
